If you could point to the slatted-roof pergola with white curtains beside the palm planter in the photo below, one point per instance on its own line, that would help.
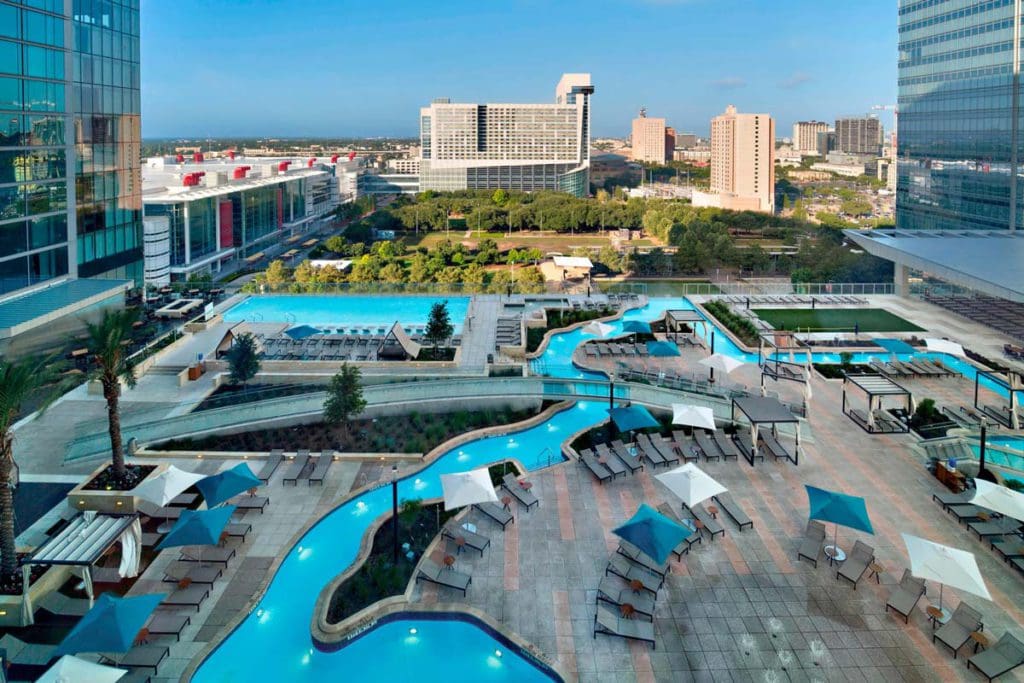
(87, 538)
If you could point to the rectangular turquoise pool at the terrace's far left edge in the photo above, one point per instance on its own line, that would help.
(360, 314)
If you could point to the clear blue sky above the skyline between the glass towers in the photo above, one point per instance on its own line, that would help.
(281, 68)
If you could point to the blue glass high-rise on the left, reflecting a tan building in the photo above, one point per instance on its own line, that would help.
(71, 211)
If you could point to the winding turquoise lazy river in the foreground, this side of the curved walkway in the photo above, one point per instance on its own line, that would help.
(274, 643)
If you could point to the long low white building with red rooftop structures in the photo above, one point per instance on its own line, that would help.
(201, 215)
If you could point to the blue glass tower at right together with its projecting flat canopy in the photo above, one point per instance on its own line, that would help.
(959, 200)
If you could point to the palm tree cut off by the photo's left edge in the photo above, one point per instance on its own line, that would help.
(19, 381)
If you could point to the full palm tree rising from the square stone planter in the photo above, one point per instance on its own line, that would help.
(107, 341)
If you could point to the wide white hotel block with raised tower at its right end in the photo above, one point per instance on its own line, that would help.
(510, 147)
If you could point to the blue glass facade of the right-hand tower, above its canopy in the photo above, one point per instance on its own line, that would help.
(959, 146)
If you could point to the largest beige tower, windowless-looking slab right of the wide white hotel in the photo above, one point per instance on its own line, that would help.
(743, 161)
